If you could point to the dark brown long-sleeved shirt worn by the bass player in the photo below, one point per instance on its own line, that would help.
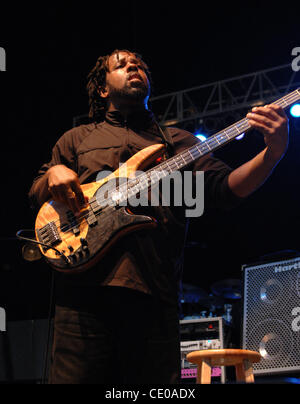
(146, 261)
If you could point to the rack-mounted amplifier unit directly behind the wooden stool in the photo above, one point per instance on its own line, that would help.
(196, 335)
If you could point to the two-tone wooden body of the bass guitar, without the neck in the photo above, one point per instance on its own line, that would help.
(78, 242)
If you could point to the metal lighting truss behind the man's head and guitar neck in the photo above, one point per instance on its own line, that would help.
(193, 107)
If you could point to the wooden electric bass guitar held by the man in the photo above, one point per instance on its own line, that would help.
(75, 243)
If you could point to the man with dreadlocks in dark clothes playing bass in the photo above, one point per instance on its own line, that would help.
(117, 322)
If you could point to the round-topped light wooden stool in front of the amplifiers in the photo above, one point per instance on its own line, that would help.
(241, 359)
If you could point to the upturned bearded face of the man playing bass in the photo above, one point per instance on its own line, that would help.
(126, 79)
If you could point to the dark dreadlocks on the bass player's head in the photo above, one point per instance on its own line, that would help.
(97, 82)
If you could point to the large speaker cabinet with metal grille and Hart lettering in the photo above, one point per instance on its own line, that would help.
(271, 315)
